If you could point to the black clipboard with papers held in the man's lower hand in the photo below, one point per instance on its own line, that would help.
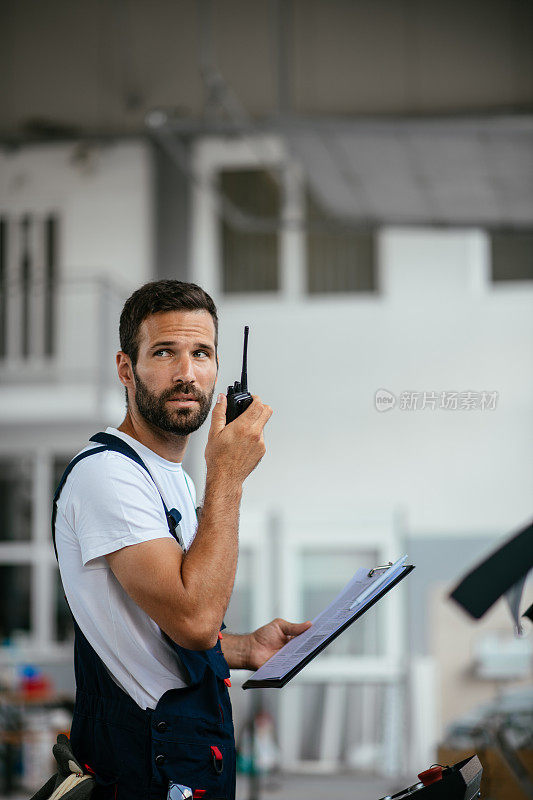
(360, 608)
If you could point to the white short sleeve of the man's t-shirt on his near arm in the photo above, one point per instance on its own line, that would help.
(113, 503)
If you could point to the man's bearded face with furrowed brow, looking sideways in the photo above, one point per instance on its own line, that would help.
(176, 370)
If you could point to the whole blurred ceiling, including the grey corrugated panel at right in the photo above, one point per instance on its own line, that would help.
(406, 111)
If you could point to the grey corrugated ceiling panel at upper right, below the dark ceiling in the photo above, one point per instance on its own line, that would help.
(456, 173)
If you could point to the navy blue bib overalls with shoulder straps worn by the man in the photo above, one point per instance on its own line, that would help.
(187, 739)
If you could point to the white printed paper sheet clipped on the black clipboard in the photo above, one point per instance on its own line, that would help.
(343, 608)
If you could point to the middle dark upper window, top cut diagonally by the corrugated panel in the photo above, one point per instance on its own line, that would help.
(338, 259)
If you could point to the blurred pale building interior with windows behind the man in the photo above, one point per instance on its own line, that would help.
(354, 180)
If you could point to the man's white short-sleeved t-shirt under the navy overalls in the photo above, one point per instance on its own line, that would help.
(109, 502)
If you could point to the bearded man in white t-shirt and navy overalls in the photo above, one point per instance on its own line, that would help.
(148, 587)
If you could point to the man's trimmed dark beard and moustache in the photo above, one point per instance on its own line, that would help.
(179, 421)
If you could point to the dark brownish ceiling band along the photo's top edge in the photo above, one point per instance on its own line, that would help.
(98, 66)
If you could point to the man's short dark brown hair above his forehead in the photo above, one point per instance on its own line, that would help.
(156, 296)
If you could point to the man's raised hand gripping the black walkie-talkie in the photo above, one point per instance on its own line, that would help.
(234, 450)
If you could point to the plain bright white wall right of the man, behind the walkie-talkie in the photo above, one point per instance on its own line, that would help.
(438, 326)
